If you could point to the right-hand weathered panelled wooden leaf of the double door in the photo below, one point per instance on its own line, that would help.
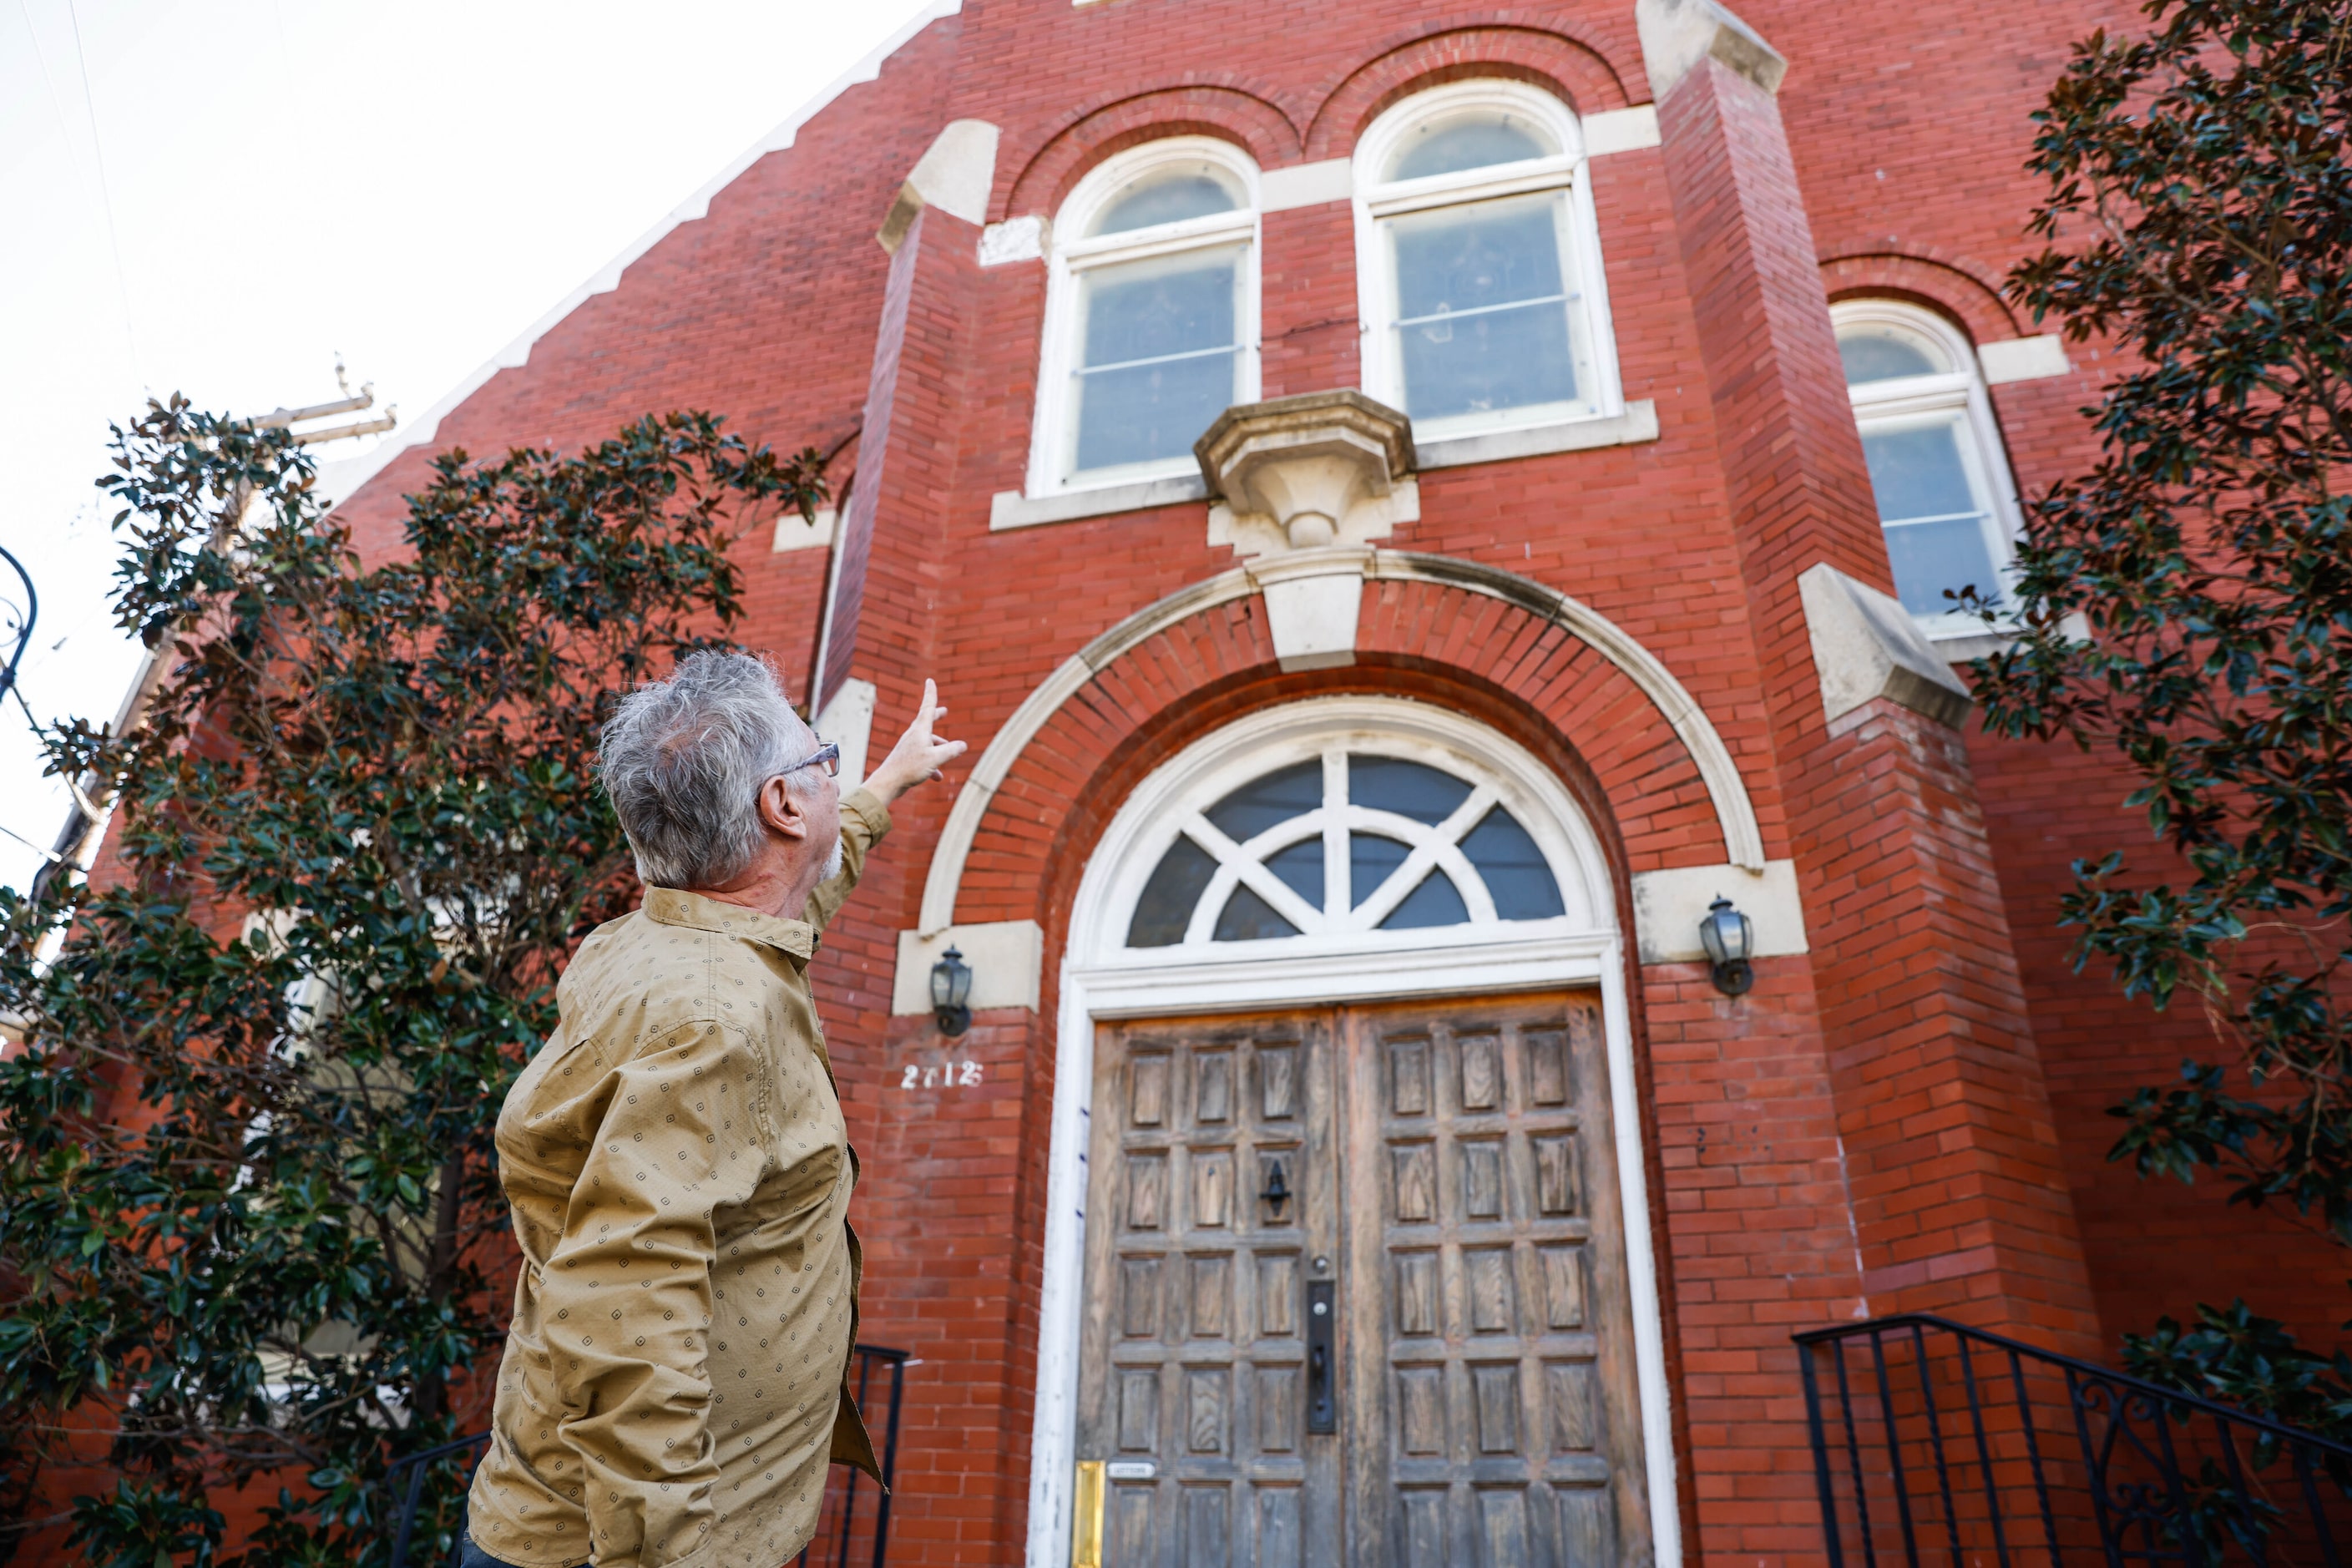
(1492, 1412)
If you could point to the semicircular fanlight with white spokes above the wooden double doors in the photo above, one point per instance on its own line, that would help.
(1349, 836)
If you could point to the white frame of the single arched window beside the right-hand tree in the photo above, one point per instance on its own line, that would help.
(1909, 401)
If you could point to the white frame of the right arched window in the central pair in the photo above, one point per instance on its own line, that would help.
(1377, 199)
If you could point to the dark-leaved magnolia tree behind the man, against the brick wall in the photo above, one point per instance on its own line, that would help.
(250, 1228)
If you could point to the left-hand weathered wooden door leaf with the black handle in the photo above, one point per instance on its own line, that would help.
(1194, 1353)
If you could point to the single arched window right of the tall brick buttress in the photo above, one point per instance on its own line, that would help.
(1937, 464)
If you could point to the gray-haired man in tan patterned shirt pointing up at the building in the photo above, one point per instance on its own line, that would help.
(676, 1374)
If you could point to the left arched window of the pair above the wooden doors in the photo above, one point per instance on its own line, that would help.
(1154, 314)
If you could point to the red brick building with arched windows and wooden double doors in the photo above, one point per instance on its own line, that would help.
(1412, 504)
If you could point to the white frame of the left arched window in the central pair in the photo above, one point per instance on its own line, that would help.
(1074, 255)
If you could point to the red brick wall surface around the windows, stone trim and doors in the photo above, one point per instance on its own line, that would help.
(1904, 1115)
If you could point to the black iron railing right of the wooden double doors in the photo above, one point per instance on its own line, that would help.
(1949, 1445)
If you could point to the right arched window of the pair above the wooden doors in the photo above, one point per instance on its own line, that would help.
(1478, 264)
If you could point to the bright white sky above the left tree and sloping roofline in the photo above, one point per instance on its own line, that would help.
(215, 199)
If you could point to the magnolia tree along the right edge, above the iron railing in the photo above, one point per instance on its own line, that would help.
(2189, 603)
